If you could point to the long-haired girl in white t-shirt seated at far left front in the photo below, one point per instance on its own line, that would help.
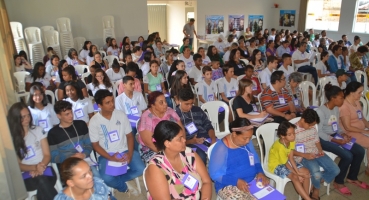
(32, 150)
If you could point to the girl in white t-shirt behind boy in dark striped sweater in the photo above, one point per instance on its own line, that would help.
(82, 107)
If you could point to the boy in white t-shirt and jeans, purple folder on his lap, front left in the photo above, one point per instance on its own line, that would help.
(111, 137)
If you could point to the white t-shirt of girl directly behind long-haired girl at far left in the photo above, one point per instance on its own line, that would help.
(45, 118)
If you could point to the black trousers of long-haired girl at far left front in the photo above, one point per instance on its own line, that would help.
(44, 186)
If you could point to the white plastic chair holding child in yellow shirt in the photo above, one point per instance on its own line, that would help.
(268, 132)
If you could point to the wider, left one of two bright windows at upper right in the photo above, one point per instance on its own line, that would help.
(323, 14)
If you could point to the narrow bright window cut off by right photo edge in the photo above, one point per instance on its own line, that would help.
(361, 19)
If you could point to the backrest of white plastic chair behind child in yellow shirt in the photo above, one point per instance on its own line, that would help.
(268, 132)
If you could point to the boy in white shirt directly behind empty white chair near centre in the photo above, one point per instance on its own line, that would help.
(228, 86)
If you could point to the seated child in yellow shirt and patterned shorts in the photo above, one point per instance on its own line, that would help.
(282, 163)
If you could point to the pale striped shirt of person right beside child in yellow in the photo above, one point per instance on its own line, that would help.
(307, 137)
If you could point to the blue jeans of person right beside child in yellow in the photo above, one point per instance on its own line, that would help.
(331, 170)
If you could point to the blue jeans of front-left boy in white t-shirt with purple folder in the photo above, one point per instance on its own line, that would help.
(136, 167)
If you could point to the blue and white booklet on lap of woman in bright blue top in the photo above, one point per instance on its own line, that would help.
(264, 192)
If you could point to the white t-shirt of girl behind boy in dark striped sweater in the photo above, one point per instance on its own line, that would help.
(81, 108)
